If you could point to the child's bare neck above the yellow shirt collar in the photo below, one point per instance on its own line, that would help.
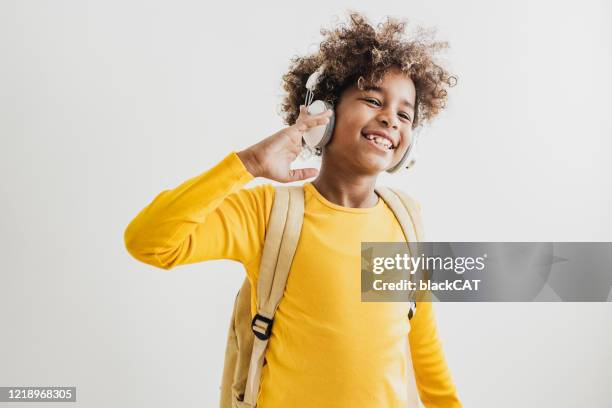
(355, 191)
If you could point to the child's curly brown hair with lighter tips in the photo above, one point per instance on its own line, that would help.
(359, 54)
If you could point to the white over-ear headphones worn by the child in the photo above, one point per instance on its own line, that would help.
(319, 136)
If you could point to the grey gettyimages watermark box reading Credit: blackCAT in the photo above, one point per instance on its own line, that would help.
(486, 271)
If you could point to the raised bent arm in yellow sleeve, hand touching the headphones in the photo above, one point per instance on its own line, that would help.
(208, 216)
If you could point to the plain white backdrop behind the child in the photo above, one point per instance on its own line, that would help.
(105, 104)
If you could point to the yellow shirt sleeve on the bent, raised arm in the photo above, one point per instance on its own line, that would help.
(207, 217)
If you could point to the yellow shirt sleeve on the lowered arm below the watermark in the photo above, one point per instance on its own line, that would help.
(434, 382)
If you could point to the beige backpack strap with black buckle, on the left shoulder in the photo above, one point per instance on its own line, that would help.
(282, 235)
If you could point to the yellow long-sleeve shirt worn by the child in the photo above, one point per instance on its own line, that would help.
(327, 349)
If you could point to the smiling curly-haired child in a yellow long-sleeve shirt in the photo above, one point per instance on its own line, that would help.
(328, 349)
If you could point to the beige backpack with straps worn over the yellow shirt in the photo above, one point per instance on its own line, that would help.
(248, 336)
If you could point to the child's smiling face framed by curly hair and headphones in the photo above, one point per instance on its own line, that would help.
(373, 127)
